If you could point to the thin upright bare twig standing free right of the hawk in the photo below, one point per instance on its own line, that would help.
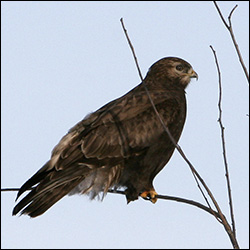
(224, 144)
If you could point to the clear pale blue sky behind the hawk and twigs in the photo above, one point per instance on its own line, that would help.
(62, 60)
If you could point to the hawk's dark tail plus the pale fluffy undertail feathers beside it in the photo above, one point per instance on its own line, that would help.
(49, 185)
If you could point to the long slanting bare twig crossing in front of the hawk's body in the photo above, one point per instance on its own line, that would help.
(195, 173)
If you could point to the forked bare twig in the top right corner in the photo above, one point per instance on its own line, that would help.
(230, 29)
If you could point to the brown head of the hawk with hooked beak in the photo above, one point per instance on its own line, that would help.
(172, 70)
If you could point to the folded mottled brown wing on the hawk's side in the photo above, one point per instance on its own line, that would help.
(124, 124)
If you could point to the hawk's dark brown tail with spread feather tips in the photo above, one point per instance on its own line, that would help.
(51, 186)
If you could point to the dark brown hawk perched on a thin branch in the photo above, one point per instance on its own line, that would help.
(121, 146)
